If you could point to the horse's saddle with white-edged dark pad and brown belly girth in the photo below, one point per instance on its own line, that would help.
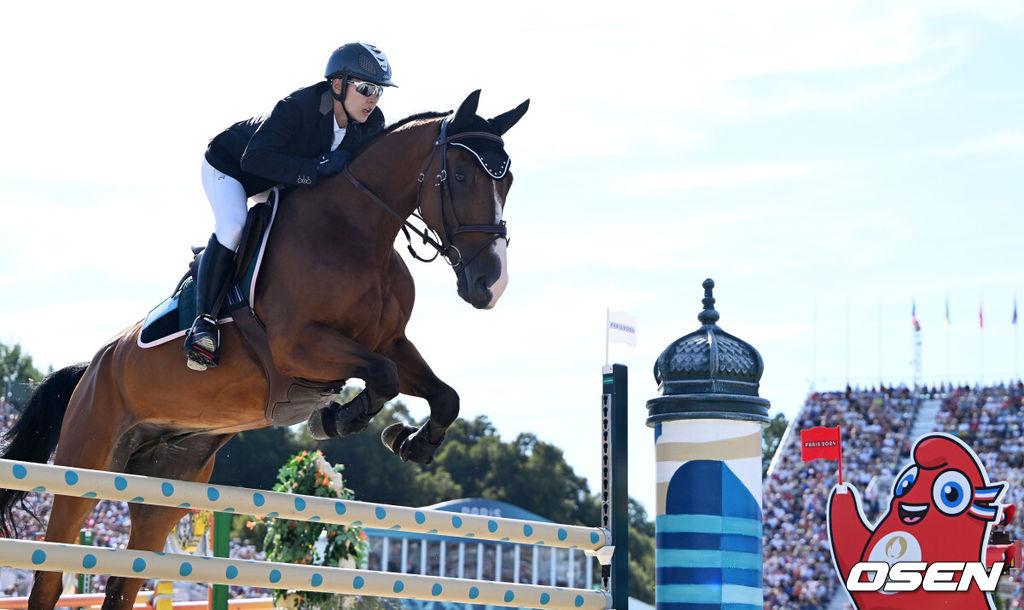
(289, 401)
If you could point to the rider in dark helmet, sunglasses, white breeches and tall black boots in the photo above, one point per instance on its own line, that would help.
(310, 135)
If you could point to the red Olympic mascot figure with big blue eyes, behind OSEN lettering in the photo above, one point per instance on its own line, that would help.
(928, 551)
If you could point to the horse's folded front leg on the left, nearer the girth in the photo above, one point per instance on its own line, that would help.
(342, 358)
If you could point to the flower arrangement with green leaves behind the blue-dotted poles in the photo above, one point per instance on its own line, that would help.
(313, 543)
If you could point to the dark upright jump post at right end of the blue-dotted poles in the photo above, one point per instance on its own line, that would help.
(615, 492)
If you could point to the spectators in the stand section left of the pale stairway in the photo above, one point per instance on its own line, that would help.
(798, 570)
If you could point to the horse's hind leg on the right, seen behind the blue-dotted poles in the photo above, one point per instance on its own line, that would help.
(189, 459)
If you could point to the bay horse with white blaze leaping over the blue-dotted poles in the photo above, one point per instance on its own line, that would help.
(335, 298)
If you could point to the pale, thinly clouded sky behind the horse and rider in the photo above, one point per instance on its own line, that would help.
(831, 165)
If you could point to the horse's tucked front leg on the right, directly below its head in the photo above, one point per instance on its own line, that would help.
(417, 379)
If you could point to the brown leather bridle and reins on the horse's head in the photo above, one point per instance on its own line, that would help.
(443, 244)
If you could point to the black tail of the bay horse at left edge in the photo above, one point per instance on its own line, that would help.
(34, 437)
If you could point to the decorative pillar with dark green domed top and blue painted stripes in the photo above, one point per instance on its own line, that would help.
(708, 424)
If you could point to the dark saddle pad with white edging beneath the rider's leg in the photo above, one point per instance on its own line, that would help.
(173, 318)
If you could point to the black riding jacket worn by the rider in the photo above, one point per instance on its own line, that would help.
(283, 149)
